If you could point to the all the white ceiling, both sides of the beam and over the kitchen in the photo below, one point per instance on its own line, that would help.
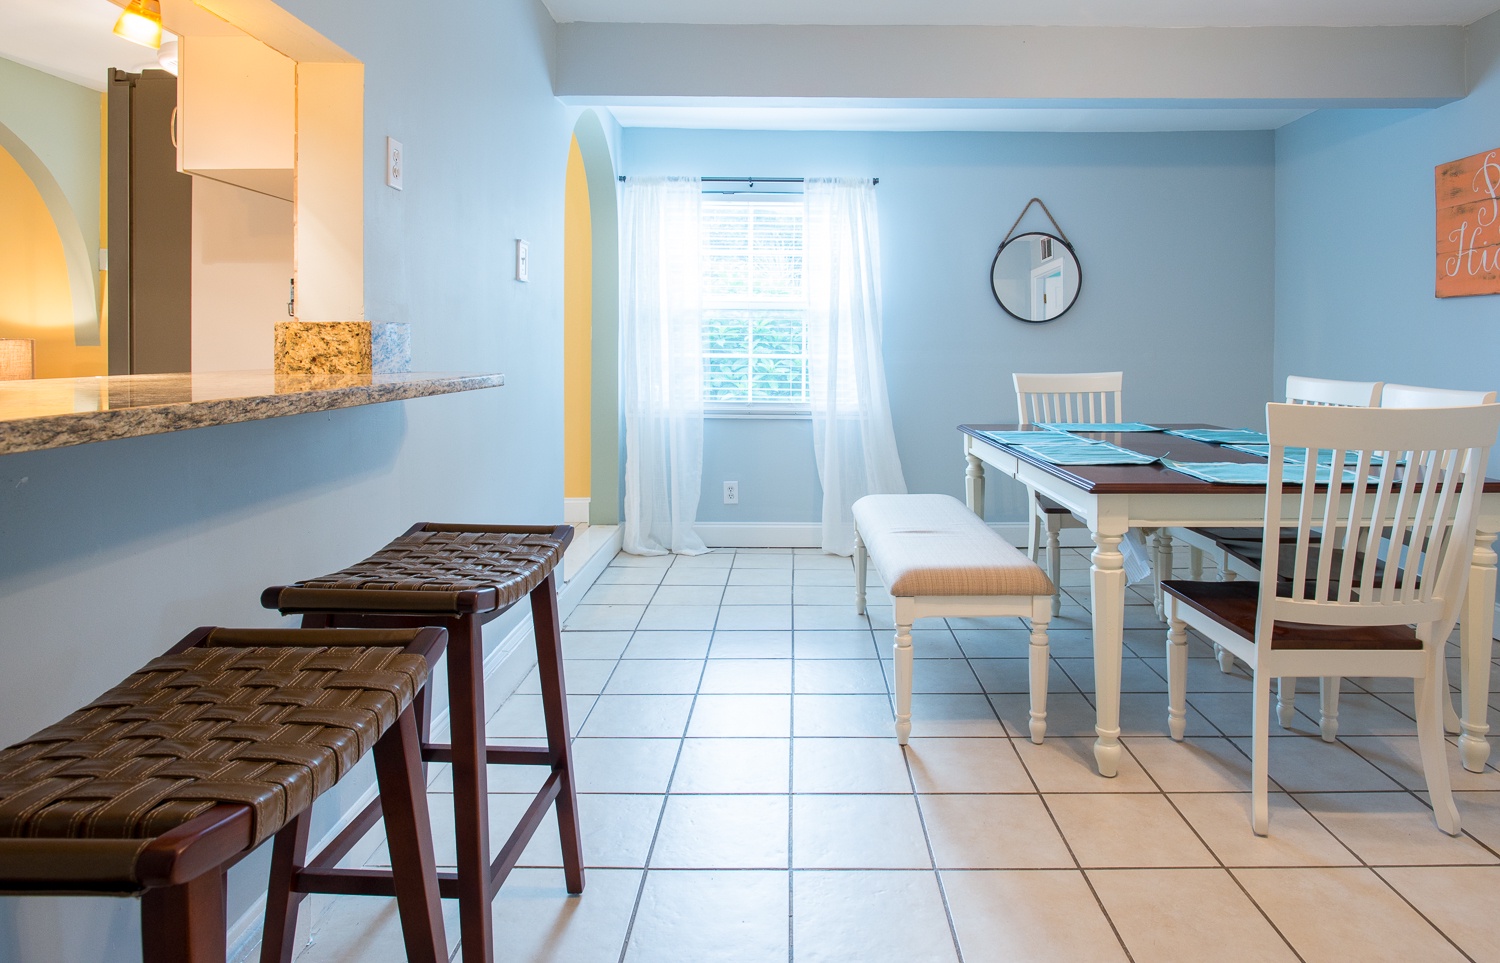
(71, 40)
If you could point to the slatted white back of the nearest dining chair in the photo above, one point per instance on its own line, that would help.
(1388, 553)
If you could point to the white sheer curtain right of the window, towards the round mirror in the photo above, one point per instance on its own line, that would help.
(853, 434)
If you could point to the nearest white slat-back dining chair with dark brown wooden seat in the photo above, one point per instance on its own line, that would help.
(1337, 601)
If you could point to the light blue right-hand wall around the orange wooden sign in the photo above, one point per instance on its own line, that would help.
(1355, 241)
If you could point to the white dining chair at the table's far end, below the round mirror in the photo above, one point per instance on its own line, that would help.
(1063, 398)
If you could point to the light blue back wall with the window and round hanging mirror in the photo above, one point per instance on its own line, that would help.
(1174, 232)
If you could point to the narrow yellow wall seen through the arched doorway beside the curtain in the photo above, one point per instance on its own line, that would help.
(578, 322)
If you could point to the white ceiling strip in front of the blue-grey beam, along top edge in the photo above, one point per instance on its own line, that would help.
(1031, 13)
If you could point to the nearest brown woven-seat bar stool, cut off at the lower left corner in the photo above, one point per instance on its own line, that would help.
(169, 779)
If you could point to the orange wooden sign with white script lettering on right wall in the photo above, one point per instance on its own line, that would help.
(1469, 226)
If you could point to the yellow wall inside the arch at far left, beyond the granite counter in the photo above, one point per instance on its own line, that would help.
(35, 296)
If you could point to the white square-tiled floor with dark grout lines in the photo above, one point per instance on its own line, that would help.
(743, 799)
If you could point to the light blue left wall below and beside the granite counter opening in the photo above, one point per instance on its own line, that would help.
(112, 553)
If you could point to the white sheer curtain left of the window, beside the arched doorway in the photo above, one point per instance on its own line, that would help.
(662, 373)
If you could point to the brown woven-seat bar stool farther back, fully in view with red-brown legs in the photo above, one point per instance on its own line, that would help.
(460, 577)
